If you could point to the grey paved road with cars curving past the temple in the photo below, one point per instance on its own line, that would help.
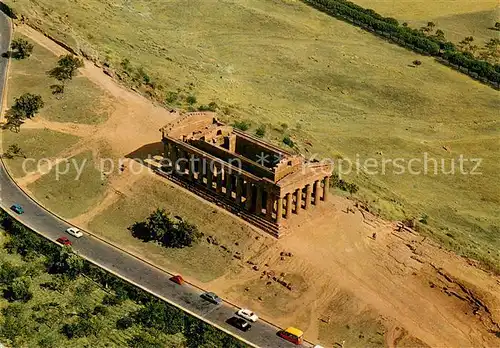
(105, 255)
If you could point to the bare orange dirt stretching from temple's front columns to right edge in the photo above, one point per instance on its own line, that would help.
(416, 288)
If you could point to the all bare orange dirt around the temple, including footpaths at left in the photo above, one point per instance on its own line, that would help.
(397, 289)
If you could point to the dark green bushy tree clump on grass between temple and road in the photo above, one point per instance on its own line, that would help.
(159, 227)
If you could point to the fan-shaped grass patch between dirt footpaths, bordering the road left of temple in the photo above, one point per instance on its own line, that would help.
(73, 188)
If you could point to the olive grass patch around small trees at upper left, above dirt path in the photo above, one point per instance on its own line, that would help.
(81, 98)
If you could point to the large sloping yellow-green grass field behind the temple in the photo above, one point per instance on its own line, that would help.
(343, 90)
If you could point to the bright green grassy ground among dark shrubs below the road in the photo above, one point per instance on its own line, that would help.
(40, 320)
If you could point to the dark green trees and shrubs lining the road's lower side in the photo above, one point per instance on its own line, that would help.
(154, 315)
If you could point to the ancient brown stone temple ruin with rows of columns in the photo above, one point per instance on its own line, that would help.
(258, 181)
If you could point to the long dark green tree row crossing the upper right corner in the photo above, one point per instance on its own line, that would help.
(434, 45)
